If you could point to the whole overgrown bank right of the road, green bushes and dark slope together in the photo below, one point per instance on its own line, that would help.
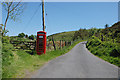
(106, 44)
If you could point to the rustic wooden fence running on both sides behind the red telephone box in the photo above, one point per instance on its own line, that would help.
(31, 45)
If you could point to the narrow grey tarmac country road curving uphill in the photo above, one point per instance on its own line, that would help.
(78, 63)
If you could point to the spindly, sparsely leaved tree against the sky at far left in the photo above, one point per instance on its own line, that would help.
(13, 9)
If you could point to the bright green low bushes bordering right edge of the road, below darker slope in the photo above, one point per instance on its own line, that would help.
(106, 50)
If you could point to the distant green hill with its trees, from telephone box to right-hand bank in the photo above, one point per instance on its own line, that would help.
(81, 34)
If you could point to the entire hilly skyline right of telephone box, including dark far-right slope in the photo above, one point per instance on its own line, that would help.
(109, 33)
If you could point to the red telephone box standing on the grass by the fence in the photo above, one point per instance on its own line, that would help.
(41, 42)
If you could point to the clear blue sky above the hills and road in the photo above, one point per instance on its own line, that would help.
(63, 16)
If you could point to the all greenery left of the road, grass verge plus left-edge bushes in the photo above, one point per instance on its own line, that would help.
(18, 63)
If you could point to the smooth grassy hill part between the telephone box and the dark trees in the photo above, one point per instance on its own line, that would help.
(66, 36)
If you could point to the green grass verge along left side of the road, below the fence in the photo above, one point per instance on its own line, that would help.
(19, 63)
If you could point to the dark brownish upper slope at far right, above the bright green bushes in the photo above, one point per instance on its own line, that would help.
(110, 33)
